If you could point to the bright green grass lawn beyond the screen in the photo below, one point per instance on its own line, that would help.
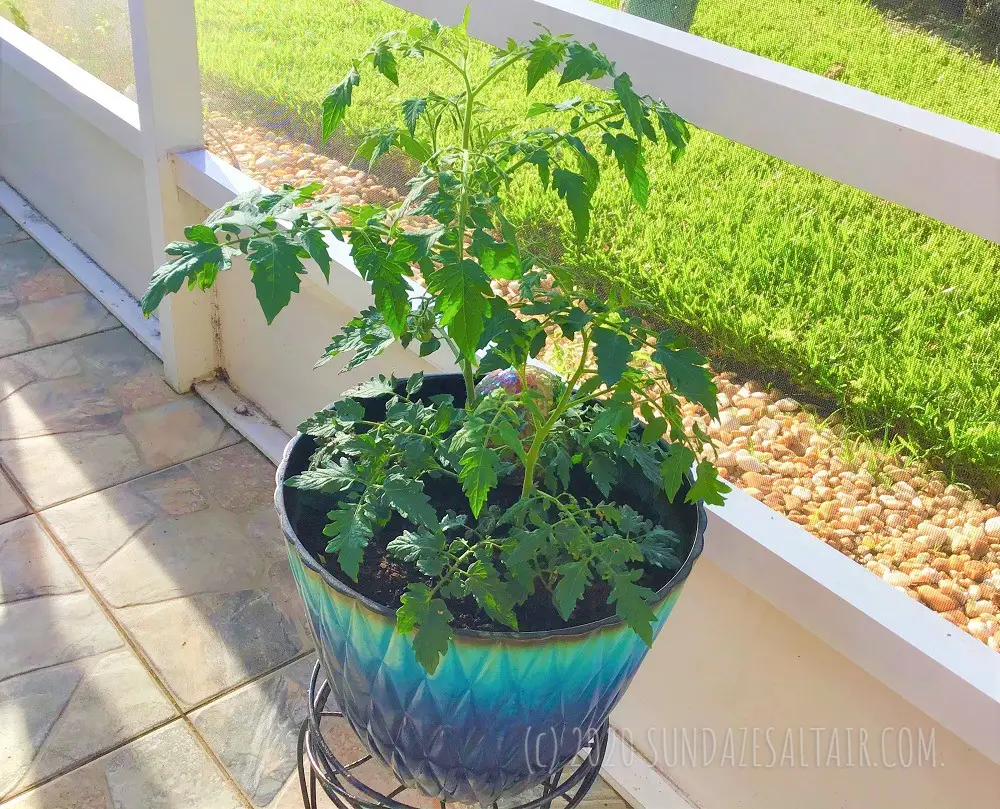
(891, 314)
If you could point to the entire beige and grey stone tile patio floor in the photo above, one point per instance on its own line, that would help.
(153, 654)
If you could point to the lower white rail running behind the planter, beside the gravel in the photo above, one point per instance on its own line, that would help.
(950, 676)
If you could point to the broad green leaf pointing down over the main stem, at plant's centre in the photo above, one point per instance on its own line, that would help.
(463, 291)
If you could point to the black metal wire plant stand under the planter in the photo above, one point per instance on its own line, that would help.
(319, 767)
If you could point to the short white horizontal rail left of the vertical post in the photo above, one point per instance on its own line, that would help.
(105, 108)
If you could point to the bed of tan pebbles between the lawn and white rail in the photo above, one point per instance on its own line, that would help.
(935, 541)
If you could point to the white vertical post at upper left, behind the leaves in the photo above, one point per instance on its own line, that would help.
(165, 53)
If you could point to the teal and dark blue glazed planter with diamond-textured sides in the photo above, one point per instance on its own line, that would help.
(504, 710)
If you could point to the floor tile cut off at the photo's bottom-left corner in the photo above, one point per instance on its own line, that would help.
(167, 769)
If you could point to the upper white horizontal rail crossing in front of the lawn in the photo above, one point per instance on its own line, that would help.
(927, 162)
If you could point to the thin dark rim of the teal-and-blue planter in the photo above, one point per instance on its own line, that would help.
(612, 621)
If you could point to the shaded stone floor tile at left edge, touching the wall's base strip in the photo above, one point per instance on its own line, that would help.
(41, 303)
